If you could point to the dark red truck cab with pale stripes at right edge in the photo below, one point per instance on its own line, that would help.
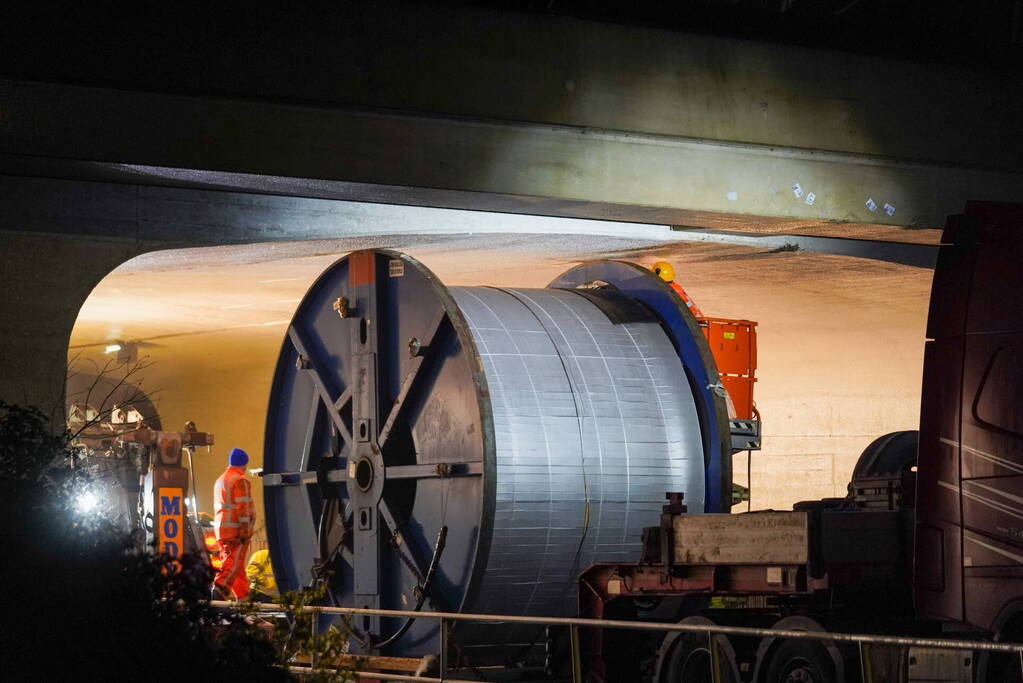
(969, 541)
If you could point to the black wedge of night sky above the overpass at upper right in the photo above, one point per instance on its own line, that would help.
(977, 33)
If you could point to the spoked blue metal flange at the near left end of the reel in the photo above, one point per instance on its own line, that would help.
(374, 446)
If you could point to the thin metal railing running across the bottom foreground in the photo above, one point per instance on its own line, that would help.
(574, 624)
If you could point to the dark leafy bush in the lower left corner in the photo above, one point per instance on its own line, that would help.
(83, 603)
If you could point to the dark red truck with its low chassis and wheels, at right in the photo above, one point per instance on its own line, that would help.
(928, 542)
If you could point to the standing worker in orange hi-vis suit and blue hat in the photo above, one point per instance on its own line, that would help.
(234, 521)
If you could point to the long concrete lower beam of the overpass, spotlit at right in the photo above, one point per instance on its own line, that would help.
(466, 163)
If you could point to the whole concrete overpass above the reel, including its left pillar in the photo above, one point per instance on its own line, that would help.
(114, 144)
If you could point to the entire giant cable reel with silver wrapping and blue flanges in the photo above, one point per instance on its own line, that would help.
(539, 429)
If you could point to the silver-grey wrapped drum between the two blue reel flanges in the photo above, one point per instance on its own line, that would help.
(594, 423)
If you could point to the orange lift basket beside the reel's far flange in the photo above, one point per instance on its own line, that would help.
(734, 344)
